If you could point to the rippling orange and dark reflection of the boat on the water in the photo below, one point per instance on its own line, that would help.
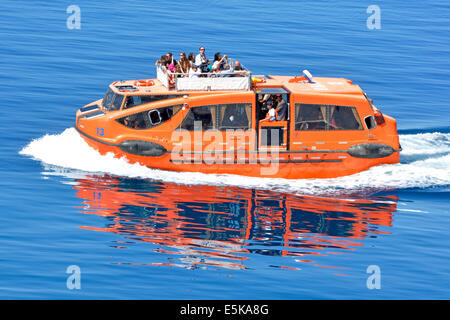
(220, 226)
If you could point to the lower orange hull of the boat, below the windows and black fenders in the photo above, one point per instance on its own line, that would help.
(268, 164)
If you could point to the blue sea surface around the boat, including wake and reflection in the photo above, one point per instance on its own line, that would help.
(138, 233)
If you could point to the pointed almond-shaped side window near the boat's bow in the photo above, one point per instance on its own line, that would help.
(149, 119)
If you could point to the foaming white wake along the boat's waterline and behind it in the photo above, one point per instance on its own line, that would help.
(424, 162)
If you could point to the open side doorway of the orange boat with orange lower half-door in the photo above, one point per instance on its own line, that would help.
(272, 135)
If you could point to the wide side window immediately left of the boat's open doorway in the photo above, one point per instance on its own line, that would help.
(220, 117)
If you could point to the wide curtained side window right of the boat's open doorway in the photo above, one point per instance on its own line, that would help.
(317, 117)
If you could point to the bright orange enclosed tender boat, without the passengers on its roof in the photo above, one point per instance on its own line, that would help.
(323, 127)
